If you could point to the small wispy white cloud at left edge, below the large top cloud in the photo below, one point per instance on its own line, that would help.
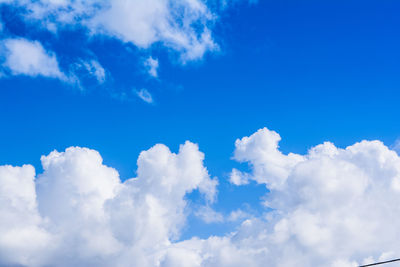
(24, 57)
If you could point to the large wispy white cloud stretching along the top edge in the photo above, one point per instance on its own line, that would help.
(179, 25)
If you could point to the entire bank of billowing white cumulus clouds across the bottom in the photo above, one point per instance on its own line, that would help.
(330, 207)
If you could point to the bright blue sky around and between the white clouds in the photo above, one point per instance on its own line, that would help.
(313, 71)
